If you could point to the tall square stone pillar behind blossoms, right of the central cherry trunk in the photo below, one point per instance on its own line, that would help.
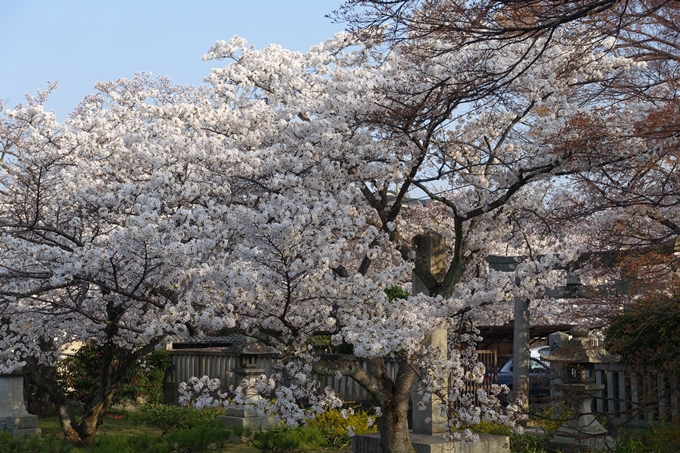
(431, 262)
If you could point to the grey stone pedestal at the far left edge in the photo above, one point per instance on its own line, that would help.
(13, 415)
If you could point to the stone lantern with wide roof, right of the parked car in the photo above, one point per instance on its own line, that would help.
(577, 358)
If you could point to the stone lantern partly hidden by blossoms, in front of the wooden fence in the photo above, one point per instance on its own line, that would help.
(249, 361)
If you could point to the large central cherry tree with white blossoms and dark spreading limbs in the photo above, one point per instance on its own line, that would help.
(488, 164)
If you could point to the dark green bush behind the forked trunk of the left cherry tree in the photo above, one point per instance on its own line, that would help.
(80, 376)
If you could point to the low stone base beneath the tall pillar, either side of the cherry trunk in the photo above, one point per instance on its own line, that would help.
(422, 443)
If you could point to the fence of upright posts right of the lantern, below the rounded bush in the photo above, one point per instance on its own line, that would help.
(636, 398)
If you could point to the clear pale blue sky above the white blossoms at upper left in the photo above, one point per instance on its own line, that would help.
(80, 42)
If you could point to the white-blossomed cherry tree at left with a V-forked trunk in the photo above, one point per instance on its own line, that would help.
(98, 219)
